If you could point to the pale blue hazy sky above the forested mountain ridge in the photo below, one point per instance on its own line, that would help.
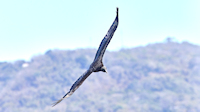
(31, 27)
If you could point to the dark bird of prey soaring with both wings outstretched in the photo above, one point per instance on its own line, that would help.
(97, 64)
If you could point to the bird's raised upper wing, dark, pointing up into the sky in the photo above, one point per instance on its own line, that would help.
(106, 39)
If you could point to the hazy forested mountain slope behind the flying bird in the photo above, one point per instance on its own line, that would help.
(160, 77)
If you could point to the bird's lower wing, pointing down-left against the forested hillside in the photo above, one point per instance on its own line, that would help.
(75, 86)
